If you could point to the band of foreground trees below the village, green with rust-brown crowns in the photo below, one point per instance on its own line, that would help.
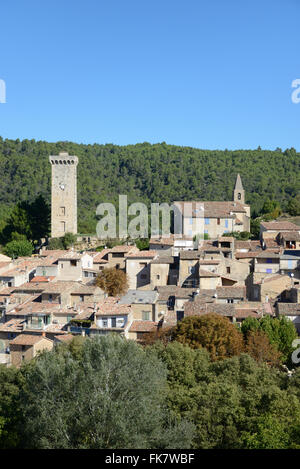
(198, 389)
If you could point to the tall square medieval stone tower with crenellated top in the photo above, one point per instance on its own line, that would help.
(63, 194)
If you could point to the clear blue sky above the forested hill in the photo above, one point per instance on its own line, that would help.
(209, 74)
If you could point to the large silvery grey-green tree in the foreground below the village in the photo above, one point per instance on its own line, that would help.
(111, 396)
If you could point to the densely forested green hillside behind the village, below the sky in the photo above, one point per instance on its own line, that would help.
(149, 173)
